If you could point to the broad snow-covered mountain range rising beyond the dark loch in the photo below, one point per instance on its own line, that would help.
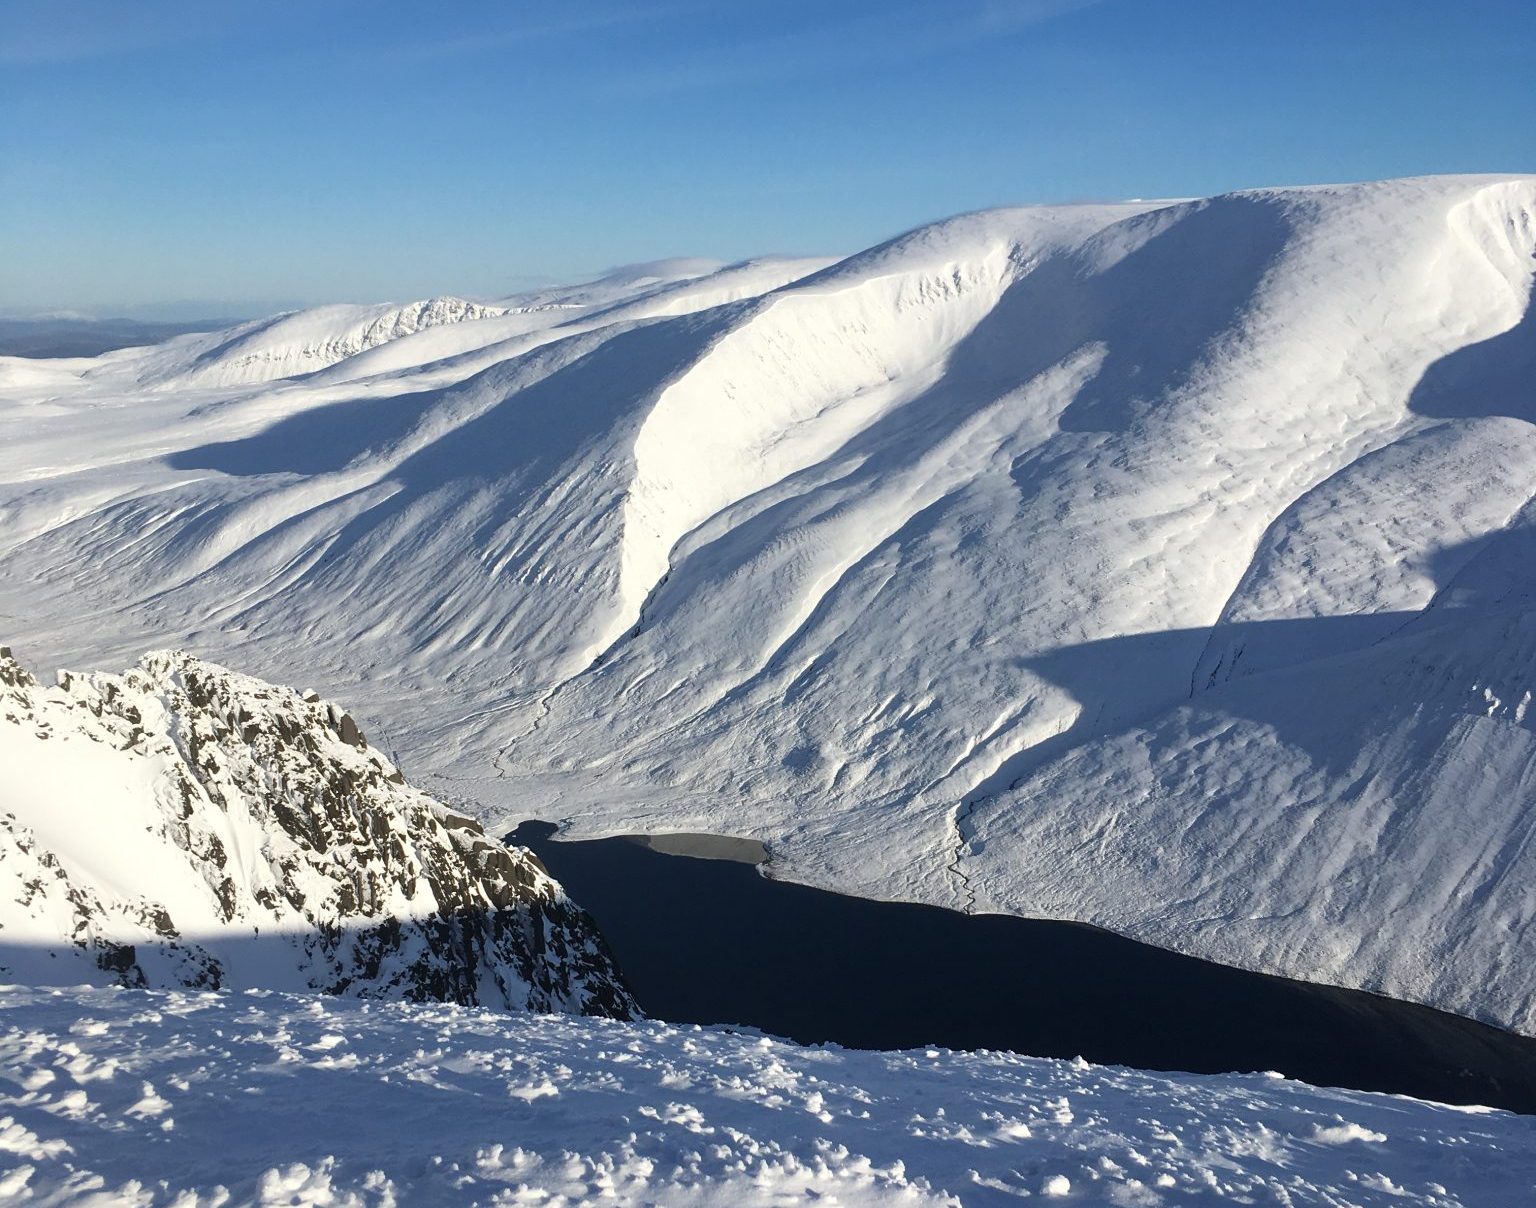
(1160, 566)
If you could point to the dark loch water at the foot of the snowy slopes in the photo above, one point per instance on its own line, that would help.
(713, 941)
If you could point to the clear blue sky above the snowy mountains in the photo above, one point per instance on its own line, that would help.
(239, 156)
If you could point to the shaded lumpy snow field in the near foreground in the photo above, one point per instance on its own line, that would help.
(144, 1098)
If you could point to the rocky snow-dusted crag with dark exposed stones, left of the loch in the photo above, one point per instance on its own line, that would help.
(184, 826)
